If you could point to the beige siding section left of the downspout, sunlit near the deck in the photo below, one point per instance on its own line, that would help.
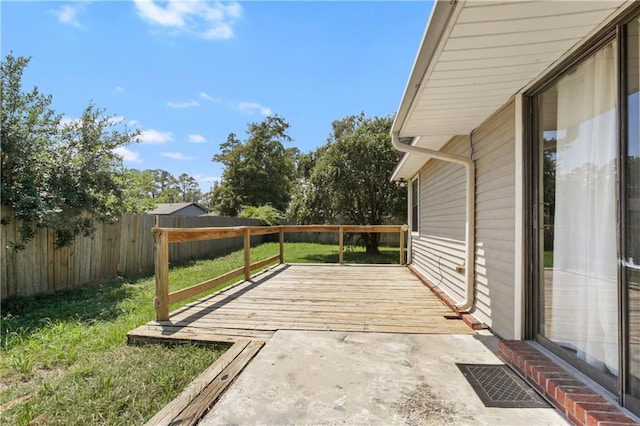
(440, 246)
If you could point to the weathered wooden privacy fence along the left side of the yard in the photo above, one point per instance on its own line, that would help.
(121, 248)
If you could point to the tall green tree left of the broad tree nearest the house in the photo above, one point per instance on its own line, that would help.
(257, 171)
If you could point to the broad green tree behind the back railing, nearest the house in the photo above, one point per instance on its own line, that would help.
(350, 178)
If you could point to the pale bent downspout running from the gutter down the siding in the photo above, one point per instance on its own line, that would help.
(470, 168)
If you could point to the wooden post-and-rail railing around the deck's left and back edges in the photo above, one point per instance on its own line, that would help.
(164, 236)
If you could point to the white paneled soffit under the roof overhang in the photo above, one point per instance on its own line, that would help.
(487, 52)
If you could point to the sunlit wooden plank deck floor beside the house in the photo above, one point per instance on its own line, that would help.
(357, 298)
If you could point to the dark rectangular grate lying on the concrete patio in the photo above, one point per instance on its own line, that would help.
(498, 386)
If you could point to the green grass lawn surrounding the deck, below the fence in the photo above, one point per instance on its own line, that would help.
(64, 356)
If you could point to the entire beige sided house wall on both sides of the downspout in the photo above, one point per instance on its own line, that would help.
(439, 247)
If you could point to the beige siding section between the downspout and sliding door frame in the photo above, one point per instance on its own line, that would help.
(494, 155)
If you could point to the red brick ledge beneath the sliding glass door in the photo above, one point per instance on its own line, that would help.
(580, 404)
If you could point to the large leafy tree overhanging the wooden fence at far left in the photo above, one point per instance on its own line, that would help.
(57, 175)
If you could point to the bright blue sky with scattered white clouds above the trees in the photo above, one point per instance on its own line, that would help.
(187, 73)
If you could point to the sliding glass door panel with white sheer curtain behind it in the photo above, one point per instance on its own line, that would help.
(578, 142)
